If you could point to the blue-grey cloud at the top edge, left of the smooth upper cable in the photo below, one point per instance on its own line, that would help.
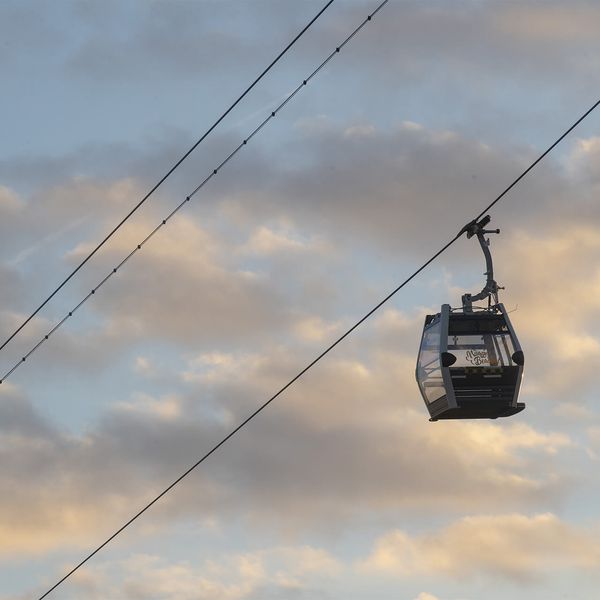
(180, 39)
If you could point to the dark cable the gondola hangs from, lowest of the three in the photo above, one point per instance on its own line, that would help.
(300, 374)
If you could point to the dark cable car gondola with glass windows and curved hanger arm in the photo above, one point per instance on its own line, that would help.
(470, 362)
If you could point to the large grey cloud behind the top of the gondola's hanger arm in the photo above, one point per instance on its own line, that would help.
(404, 190)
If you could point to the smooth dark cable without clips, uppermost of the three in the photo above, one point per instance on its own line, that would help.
(167, 175)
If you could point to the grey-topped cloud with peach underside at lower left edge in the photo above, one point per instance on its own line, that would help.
(79, 491)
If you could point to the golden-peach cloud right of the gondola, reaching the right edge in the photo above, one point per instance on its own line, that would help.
(556, 323)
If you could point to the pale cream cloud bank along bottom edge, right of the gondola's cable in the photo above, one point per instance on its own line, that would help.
(274, 573)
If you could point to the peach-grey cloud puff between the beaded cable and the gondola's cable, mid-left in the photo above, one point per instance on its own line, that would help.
(183, 287)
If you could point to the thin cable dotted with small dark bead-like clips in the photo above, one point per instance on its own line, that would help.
(214, 172)
